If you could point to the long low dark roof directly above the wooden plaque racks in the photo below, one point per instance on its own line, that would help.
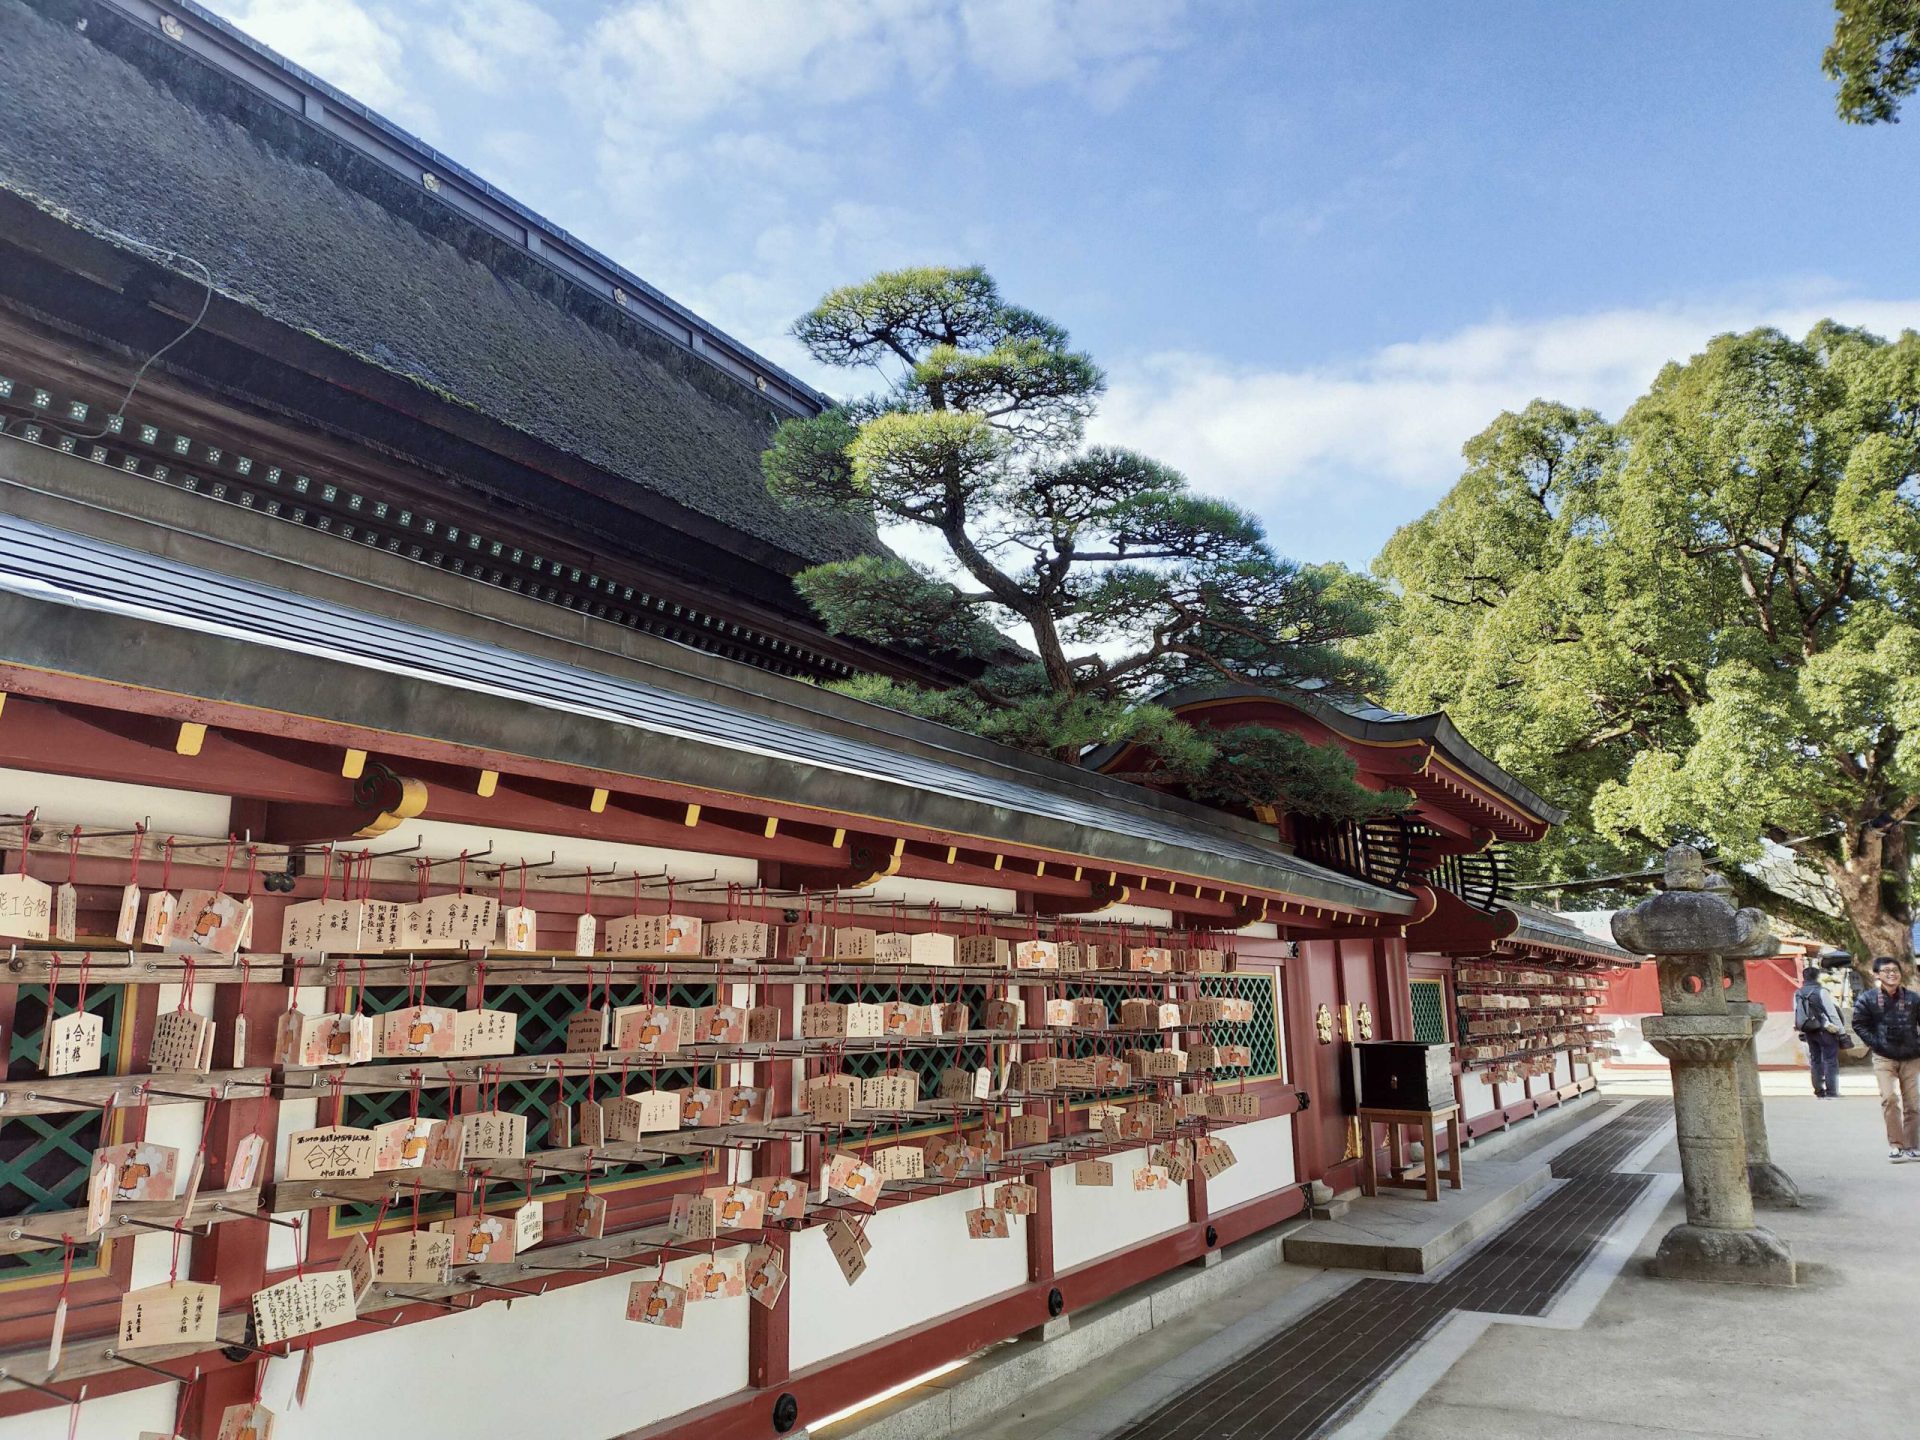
(665, 713)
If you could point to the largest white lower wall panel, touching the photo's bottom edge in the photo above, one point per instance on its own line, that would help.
(567, 1366)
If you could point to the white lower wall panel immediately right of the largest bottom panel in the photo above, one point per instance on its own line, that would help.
(923, 1266)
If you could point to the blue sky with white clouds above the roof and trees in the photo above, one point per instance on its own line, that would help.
(1316, 245)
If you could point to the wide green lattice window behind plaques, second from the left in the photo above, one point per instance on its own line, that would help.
(544, 1013)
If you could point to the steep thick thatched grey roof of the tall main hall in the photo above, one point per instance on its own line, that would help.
(122, 132)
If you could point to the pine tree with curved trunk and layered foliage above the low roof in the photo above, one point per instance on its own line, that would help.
(1122, 577)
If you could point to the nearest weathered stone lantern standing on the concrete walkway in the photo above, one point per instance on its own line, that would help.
(1691, 930)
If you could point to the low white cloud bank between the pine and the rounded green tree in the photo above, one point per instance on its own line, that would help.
(1378, 437)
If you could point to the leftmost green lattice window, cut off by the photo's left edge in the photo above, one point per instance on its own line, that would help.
(45, 1159)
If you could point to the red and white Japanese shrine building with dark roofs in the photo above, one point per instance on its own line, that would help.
(437, 539)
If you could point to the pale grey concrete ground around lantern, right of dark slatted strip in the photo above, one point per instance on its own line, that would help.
(1664, 1358)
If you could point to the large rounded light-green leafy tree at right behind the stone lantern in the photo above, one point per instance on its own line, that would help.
(1698, 623)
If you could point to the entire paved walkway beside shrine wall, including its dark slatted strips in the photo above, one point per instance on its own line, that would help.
(1583, 1343)
